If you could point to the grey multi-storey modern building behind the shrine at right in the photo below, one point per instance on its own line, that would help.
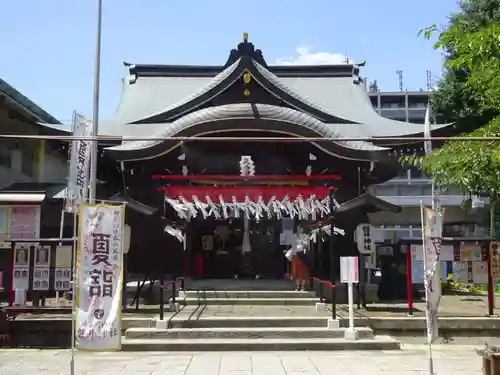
(411, 187)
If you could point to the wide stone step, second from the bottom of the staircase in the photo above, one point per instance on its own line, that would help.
(243, 333)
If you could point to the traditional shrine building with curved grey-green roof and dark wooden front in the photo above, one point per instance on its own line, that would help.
(191, 203)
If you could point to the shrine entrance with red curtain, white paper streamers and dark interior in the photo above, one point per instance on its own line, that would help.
(238, 231)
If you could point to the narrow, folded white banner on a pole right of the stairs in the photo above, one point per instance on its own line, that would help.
(432, 236)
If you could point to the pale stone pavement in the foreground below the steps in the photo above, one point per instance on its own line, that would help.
(412, 360)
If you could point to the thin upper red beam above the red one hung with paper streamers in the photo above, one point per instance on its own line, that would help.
(316, 177)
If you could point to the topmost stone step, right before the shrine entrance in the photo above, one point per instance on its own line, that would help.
(259, 294)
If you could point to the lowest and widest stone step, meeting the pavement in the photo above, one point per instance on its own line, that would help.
(260, 344)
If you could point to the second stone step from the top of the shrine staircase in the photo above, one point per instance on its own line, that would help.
(304, 301)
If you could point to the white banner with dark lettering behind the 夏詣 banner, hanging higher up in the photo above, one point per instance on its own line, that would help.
(79, 166)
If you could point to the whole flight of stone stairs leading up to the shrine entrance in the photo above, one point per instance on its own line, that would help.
(250, 320)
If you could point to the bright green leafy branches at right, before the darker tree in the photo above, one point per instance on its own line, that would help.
(473, 166)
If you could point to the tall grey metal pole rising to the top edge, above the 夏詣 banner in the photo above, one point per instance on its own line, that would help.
(95, 119)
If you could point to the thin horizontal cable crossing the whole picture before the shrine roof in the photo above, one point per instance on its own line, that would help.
(104, 138)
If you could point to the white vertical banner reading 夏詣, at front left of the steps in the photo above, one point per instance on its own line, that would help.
(99, 277)
